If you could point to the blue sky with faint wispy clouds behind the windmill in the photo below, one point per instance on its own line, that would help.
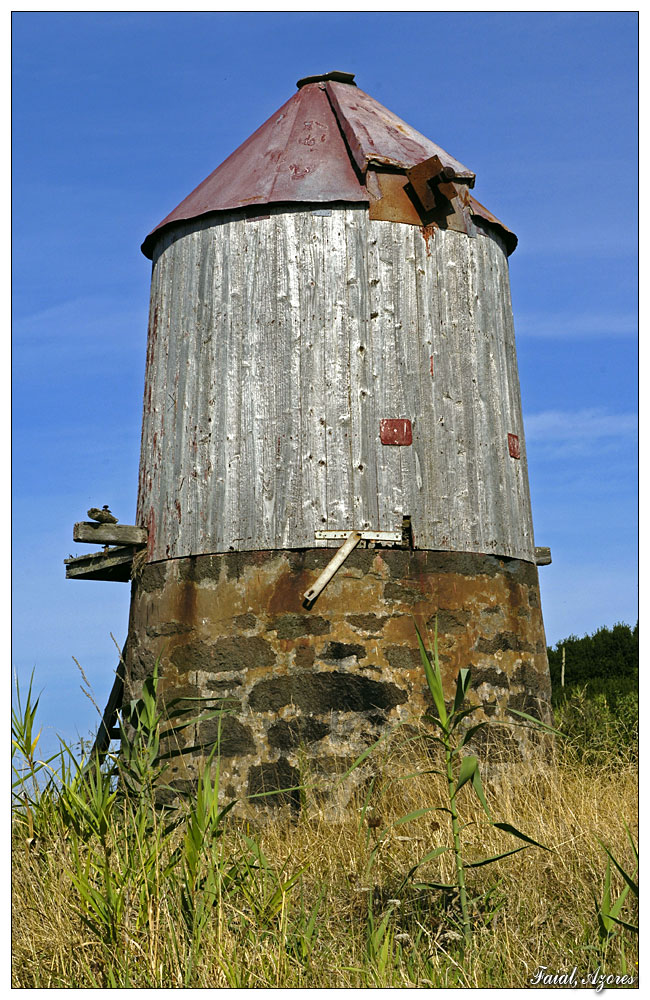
(117, 117)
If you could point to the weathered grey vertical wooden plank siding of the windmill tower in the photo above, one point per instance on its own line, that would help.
(277, 345)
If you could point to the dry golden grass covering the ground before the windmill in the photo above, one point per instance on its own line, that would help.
(368, 928)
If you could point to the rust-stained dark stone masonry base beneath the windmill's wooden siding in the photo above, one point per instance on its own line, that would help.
(306, 691)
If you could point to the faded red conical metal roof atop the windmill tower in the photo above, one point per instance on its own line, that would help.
(318, 147)
